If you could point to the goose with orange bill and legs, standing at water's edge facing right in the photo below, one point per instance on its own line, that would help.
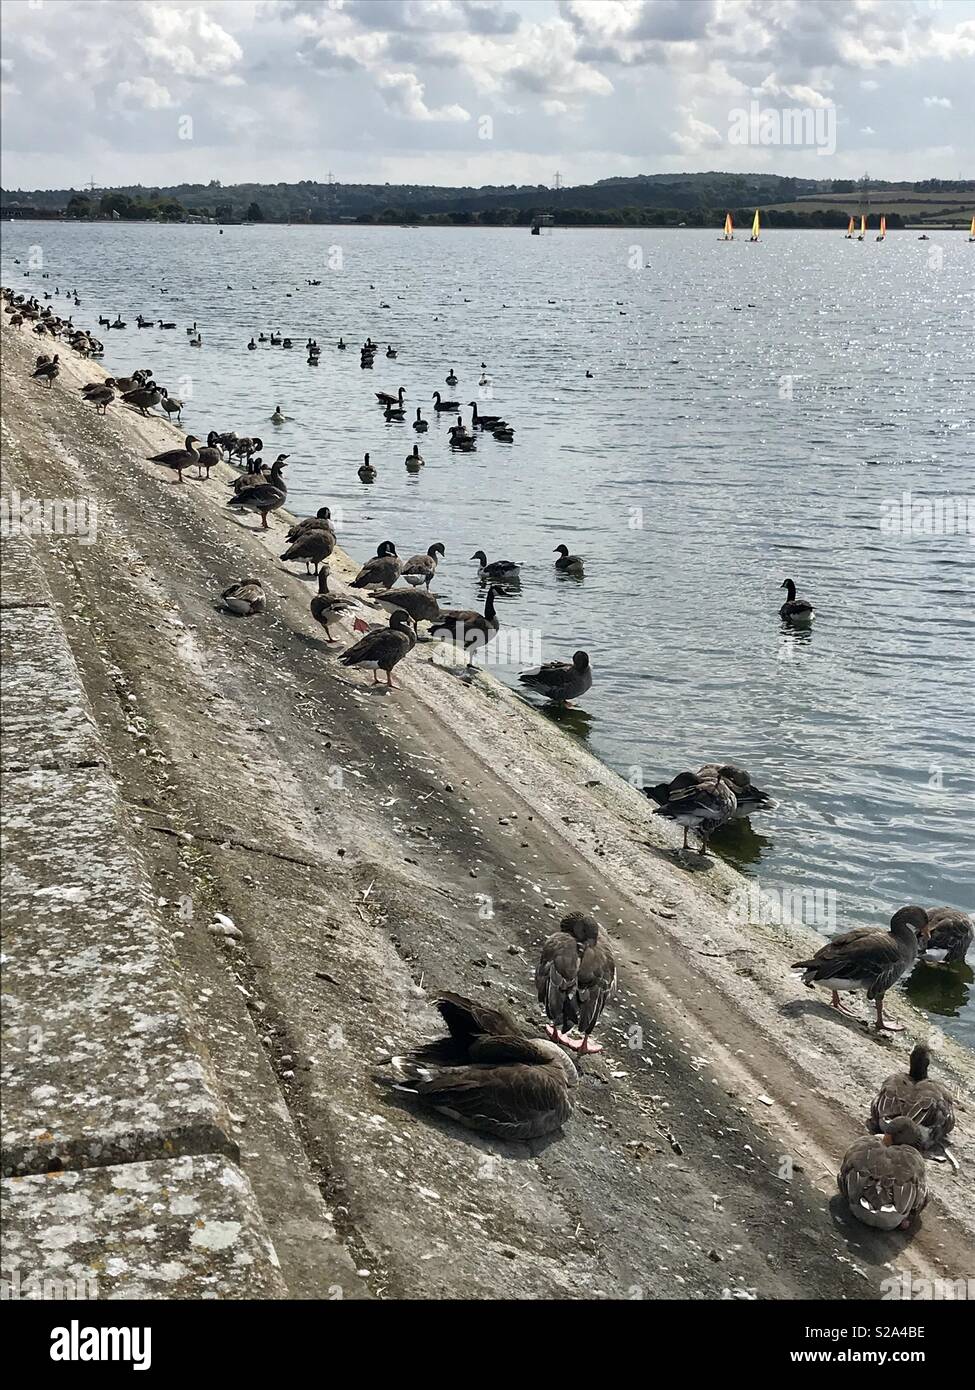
(869, 960)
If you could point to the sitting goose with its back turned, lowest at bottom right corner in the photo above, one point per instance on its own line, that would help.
(884, 1181)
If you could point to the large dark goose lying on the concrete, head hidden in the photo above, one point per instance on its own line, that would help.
(489, 1077)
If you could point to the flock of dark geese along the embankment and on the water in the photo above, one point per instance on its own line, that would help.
(487, 1072)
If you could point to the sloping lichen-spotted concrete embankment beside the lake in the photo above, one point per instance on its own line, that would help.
(372, 850)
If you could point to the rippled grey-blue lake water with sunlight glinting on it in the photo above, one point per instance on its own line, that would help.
(750, 411)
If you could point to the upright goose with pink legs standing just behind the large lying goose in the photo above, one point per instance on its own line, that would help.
(575, 979)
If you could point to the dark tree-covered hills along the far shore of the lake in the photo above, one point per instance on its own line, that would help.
(647, 199)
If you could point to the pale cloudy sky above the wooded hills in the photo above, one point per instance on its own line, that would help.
(476, 91)
